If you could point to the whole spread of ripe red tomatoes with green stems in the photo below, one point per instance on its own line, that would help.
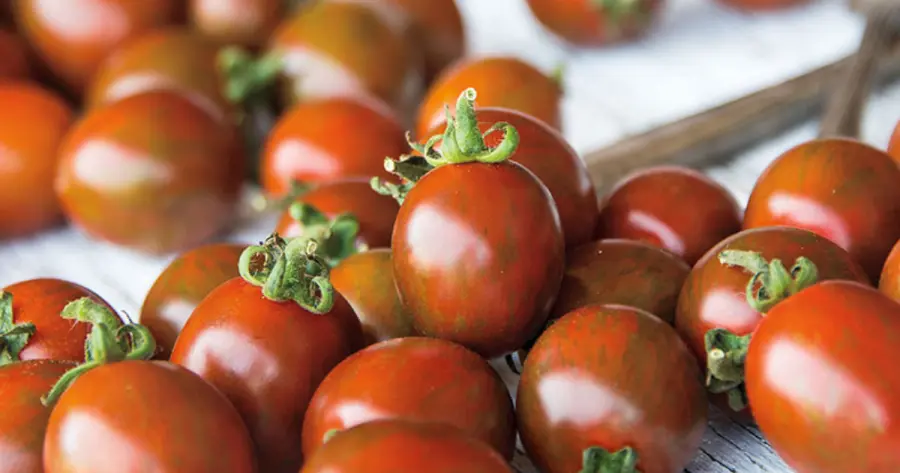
(359, 335)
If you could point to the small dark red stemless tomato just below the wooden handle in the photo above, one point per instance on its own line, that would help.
(672, 207)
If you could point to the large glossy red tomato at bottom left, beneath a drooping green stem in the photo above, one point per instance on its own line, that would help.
(132, 415)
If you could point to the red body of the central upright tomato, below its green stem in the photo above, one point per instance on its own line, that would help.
(491, 223)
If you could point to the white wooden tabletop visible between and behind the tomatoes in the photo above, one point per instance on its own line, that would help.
(700, 56)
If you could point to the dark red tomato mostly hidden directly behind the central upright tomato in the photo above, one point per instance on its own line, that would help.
(544, 151)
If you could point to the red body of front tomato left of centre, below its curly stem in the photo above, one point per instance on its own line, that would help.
(267, 358)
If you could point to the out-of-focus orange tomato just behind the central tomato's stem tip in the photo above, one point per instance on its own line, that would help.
(501, 82)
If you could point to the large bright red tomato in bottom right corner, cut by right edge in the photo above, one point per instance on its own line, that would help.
(820, 379)
